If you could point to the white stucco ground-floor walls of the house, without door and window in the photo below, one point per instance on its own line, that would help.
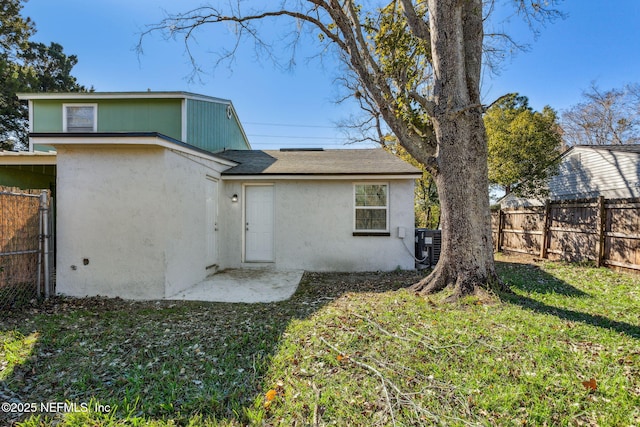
(132, 222)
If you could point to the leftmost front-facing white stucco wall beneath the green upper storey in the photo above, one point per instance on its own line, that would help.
(107, 215)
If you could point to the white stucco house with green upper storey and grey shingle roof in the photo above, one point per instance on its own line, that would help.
(144, 215)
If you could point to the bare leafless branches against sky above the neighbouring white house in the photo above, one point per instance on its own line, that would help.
(604, 117)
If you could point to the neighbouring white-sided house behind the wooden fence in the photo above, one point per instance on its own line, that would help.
(589, 171)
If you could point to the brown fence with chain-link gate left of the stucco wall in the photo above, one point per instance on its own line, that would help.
(25, 246)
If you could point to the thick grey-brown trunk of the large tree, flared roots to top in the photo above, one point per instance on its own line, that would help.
(466, 261)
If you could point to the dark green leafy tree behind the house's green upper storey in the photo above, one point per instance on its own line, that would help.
(26, 66)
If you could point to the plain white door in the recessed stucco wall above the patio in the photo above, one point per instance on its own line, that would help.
(259, 223)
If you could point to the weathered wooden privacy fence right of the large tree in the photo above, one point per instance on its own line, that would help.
(600, 230)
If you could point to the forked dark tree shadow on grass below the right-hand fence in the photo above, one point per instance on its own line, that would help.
(531, 278)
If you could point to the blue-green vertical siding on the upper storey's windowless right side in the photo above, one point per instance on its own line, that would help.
(209, 128)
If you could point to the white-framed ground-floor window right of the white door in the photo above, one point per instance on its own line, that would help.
(371, 208)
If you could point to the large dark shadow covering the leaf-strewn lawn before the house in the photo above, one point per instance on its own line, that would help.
(165, 360)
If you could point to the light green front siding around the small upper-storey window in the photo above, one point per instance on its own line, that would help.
(117, 115)
